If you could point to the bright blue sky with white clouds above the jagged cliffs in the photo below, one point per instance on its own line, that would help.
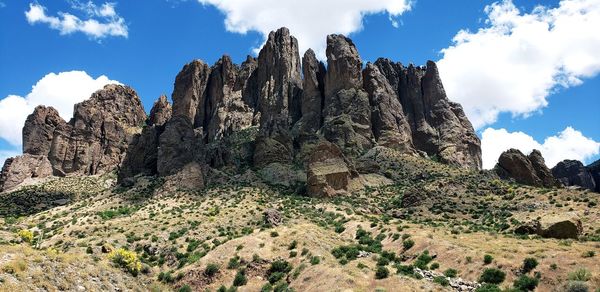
(161, 36)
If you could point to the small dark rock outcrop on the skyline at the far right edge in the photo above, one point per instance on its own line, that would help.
(573, 173)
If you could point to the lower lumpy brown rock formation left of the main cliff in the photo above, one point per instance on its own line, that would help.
(94, 141)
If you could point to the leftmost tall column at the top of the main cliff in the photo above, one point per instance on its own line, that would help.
(189, 92)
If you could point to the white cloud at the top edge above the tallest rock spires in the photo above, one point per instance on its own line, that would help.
(310, 21)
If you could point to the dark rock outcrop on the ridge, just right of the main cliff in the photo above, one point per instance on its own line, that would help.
(529, 170)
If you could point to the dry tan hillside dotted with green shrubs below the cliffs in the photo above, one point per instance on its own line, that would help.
(85, 234)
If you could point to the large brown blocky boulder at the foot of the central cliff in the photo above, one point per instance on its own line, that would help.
(328, 173)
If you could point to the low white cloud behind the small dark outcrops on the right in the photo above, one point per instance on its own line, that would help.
(568, 144)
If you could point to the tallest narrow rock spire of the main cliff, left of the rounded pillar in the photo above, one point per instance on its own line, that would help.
(279, 85)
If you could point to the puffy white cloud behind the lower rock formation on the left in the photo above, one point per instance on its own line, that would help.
(61, 91)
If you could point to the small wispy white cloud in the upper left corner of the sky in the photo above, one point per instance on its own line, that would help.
(103, 21)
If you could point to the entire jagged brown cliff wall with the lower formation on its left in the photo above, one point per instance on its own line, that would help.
(274, 108)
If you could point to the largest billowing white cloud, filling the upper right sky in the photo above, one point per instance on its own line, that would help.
(518, 59)
